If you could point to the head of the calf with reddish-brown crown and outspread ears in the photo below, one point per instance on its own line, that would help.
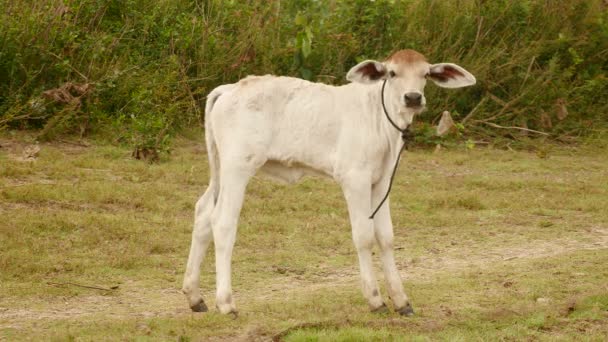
(406, 73)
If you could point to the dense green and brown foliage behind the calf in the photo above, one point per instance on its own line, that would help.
(143, 68)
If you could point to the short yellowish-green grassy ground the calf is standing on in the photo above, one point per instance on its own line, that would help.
(494, 245)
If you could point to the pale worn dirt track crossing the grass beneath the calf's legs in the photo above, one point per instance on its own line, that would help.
(132, 300)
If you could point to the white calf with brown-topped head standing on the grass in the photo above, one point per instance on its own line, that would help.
(288, 128)
